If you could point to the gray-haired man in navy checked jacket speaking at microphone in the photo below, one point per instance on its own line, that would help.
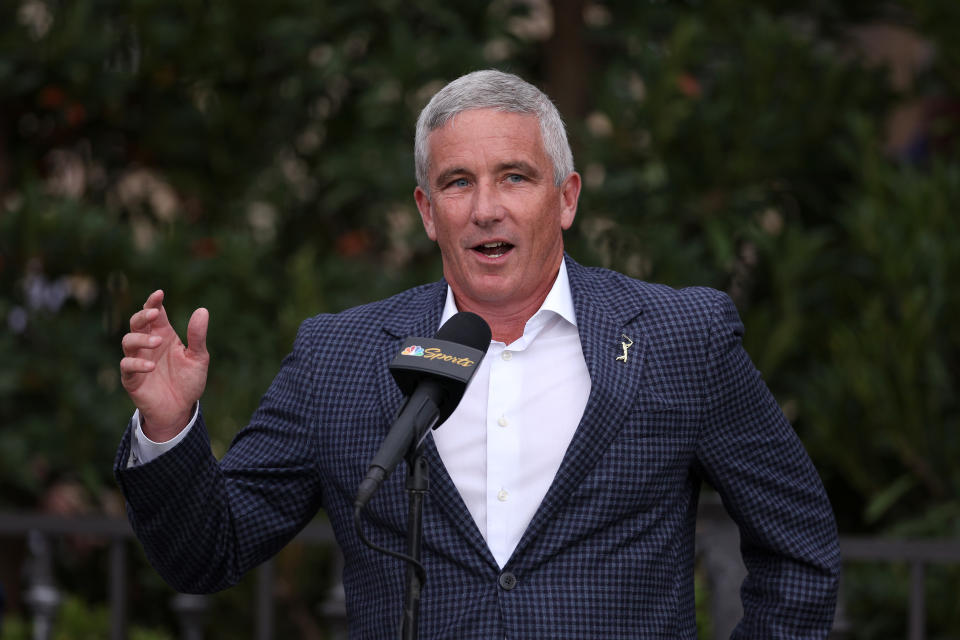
(564, 487)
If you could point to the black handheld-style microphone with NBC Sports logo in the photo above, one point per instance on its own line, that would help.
(434, 373)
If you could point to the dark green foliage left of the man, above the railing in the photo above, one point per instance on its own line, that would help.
(254, 159)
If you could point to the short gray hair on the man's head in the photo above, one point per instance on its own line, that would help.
(492, 89)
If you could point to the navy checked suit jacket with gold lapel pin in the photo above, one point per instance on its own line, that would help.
(609, 553)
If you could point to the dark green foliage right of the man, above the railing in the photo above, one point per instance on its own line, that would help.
(743, 149)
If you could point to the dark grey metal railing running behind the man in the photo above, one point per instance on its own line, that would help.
(717, 552)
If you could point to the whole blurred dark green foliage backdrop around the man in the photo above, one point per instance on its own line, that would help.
(256, 159)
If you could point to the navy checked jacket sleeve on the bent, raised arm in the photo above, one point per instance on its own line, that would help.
(204, 523)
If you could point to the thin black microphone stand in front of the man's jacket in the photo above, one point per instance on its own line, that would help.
(418, 483)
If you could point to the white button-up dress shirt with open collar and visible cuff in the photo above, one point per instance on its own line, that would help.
(505, 441)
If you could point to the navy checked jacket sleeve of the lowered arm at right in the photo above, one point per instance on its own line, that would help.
(753, 458)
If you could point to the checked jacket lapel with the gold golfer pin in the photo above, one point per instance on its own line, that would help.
(605, 322)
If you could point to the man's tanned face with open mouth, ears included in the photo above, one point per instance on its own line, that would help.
(495, 211)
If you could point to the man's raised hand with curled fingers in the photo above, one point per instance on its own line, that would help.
(163, 377)
